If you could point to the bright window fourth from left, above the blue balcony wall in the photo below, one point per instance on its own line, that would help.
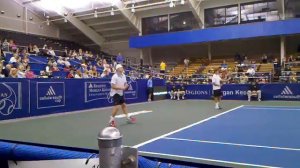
(259, 11)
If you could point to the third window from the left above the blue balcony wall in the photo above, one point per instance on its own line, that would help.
(221, 16)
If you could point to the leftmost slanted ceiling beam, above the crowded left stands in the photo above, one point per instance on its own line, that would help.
(86, 30)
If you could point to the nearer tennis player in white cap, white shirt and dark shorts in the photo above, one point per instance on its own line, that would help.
(118, 86)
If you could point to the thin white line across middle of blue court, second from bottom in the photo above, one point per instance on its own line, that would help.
(233, 144)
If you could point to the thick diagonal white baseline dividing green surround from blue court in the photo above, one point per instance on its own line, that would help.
(186, 127)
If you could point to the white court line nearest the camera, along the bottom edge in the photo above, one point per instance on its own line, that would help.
(206, 159)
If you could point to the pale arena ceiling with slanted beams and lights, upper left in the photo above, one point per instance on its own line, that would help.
(94, 22)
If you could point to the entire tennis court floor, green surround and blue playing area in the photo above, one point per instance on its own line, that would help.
(242, 133)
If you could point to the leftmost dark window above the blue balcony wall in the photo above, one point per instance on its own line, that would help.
(157, 24)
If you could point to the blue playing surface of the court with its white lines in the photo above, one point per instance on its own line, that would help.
(246, 136)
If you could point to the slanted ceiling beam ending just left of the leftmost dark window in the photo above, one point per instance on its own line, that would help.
(134, 21)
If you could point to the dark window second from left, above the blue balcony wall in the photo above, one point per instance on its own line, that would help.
(183, 21)
